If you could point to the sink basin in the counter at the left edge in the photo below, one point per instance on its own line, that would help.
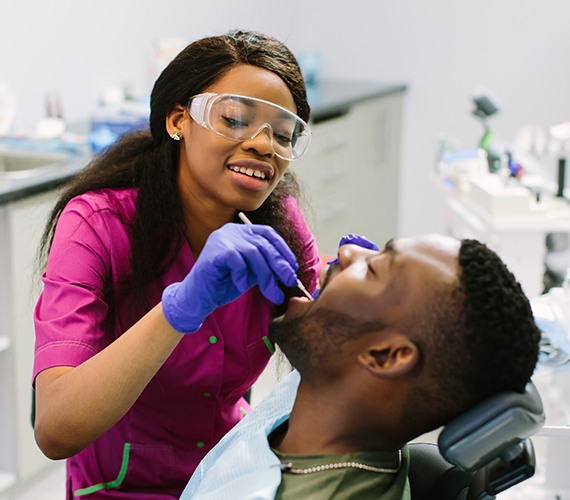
(24, 164)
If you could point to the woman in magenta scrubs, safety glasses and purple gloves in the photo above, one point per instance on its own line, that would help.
(150, 329)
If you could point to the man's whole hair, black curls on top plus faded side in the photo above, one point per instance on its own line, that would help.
(479, 339)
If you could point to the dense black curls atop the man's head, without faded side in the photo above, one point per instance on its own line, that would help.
(502, 337)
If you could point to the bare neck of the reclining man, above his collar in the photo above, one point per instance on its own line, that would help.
(325, 422)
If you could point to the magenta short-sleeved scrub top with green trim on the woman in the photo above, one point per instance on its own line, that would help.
(196, 396)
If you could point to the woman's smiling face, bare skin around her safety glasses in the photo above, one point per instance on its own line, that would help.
(222, 174)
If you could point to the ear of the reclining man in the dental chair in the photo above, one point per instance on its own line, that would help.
(393, 357)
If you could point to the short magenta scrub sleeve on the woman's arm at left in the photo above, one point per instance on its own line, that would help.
(71, 310)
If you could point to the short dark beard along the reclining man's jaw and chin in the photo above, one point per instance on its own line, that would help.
(309, 340)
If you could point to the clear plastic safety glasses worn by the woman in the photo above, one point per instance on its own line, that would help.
(242, 118)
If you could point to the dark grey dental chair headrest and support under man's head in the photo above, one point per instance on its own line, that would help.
(482, 452)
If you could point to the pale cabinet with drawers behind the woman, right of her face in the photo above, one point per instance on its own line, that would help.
(351, 173)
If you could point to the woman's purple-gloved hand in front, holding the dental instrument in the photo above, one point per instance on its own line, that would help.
(234, 258)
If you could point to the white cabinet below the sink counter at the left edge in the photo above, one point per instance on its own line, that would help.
(21, 226)
